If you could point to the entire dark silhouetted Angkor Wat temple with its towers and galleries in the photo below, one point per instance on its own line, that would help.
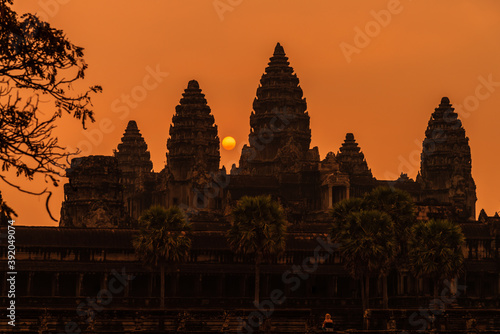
(61, 270)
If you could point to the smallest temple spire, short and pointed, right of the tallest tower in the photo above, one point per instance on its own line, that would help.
(351, 159)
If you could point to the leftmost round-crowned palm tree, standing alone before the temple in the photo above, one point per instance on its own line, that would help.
(162, 240)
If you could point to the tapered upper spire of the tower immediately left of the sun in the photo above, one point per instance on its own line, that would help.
(193, 143)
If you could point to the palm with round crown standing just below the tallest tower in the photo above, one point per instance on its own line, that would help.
(258, 229)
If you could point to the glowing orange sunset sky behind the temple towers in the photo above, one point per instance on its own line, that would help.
(385, 94)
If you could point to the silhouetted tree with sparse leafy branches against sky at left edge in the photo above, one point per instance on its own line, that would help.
(36, 60)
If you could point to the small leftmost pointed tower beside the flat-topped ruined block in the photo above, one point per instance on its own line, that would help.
(135, 164)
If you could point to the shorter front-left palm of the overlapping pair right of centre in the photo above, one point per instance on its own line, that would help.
(367, 244)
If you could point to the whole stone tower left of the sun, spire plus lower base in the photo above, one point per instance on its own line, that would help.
(193, 147)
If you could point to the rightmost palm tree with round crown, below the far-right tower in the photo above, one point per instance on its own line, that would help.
(435, 250)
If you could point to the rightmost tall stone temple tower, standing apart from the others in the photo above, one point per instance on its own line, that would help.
(445, 170)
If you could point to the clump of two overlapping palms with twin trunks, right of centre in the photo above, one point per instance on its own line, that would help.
(373, 233)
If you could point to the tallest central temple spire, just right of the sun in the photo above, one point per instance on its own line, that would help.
(279, 120)
